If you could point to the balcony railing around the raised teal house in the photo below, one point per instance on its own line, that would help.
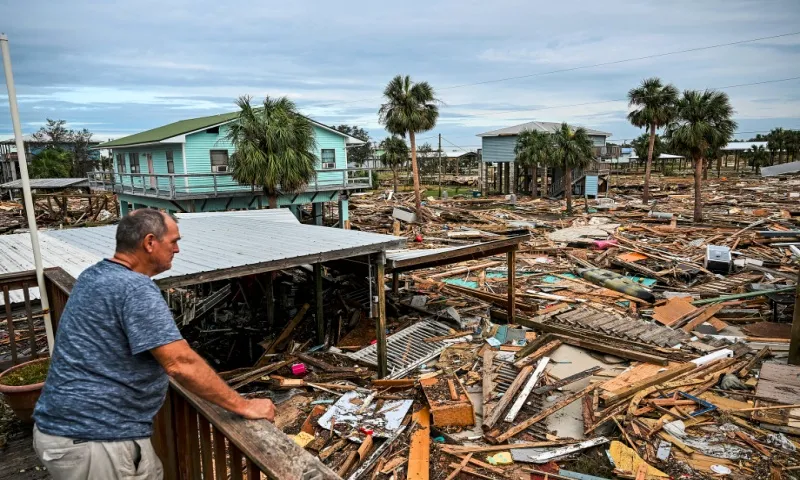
(203, 185)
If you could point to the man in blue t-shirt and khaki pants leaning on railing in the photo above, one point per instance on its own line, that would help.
(116, 344)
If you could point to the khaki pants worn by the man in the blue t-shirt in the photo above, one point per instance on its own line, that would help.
(67, 460)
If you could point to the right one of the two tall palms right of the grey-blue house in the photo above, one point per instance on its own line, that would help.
(702, 122)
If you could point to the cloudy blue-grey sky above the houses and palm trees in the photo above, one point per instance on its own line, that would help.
(122, 67)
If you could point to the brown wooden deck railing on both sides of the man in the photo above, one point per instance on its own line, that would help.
(193, 438)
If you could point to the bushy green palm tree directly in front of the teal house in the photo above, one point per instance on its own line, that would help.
(274, 147)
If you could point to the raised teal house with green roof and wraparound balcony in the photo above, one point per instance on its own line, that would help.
(183, 167)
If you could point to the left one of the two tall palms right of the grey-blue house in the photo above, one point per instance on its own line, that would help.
(655, 108)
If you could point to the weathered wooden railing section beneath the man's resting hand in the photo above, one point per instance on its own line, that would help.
(198, 440)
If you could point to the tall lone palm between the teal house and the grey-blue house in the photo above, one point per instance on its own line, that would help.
(410, 108)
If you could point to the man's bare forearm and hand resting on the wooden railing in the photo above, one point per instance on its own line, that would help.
(190, 370)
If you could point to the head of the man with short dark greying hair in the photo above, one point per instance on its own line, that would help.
(150, 239)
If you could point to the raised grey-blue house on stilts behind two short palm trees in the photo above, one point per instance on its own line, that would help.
(499, 172)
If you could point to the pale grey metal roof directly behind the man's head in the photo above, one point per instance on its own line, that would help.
(213, 246)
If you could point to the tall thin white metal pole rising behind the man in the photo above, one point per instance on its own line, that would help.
(26, 191)
